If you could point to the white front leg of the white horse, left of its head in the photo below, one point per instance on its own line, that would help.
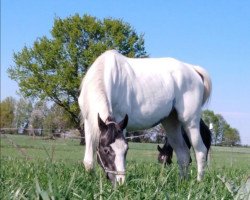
(89, 148)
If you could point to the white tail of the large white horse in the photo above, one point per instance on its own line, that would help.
(206, 81)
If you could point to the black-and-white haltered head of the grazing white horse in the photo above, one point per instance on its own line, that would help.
(112, 149)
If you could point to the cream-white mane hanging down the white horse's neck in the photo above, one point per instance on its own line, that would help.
(93, 92)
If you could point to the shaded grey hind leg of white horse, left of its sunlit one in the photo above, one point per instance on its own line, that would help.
(176, 140)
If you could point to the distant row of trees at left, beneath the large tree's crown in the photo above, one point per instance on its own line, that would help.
(20, 115)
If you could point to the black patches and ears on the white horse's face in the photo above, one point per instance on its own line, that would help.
(110, 133)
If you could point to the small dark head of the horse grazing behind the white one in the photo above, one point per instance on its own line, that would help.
(165, 154)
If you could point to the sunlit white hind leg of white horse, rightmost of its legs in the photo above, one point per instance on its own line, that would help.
(193, 131)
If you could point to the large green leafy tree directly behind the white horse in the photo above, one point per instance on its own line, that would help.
(53, 68)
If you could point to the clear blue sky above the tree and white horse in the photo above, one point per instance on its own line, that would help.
(213, 34)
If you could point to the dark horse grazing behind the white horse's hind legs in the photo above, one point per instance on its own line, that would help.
(166, 152)
